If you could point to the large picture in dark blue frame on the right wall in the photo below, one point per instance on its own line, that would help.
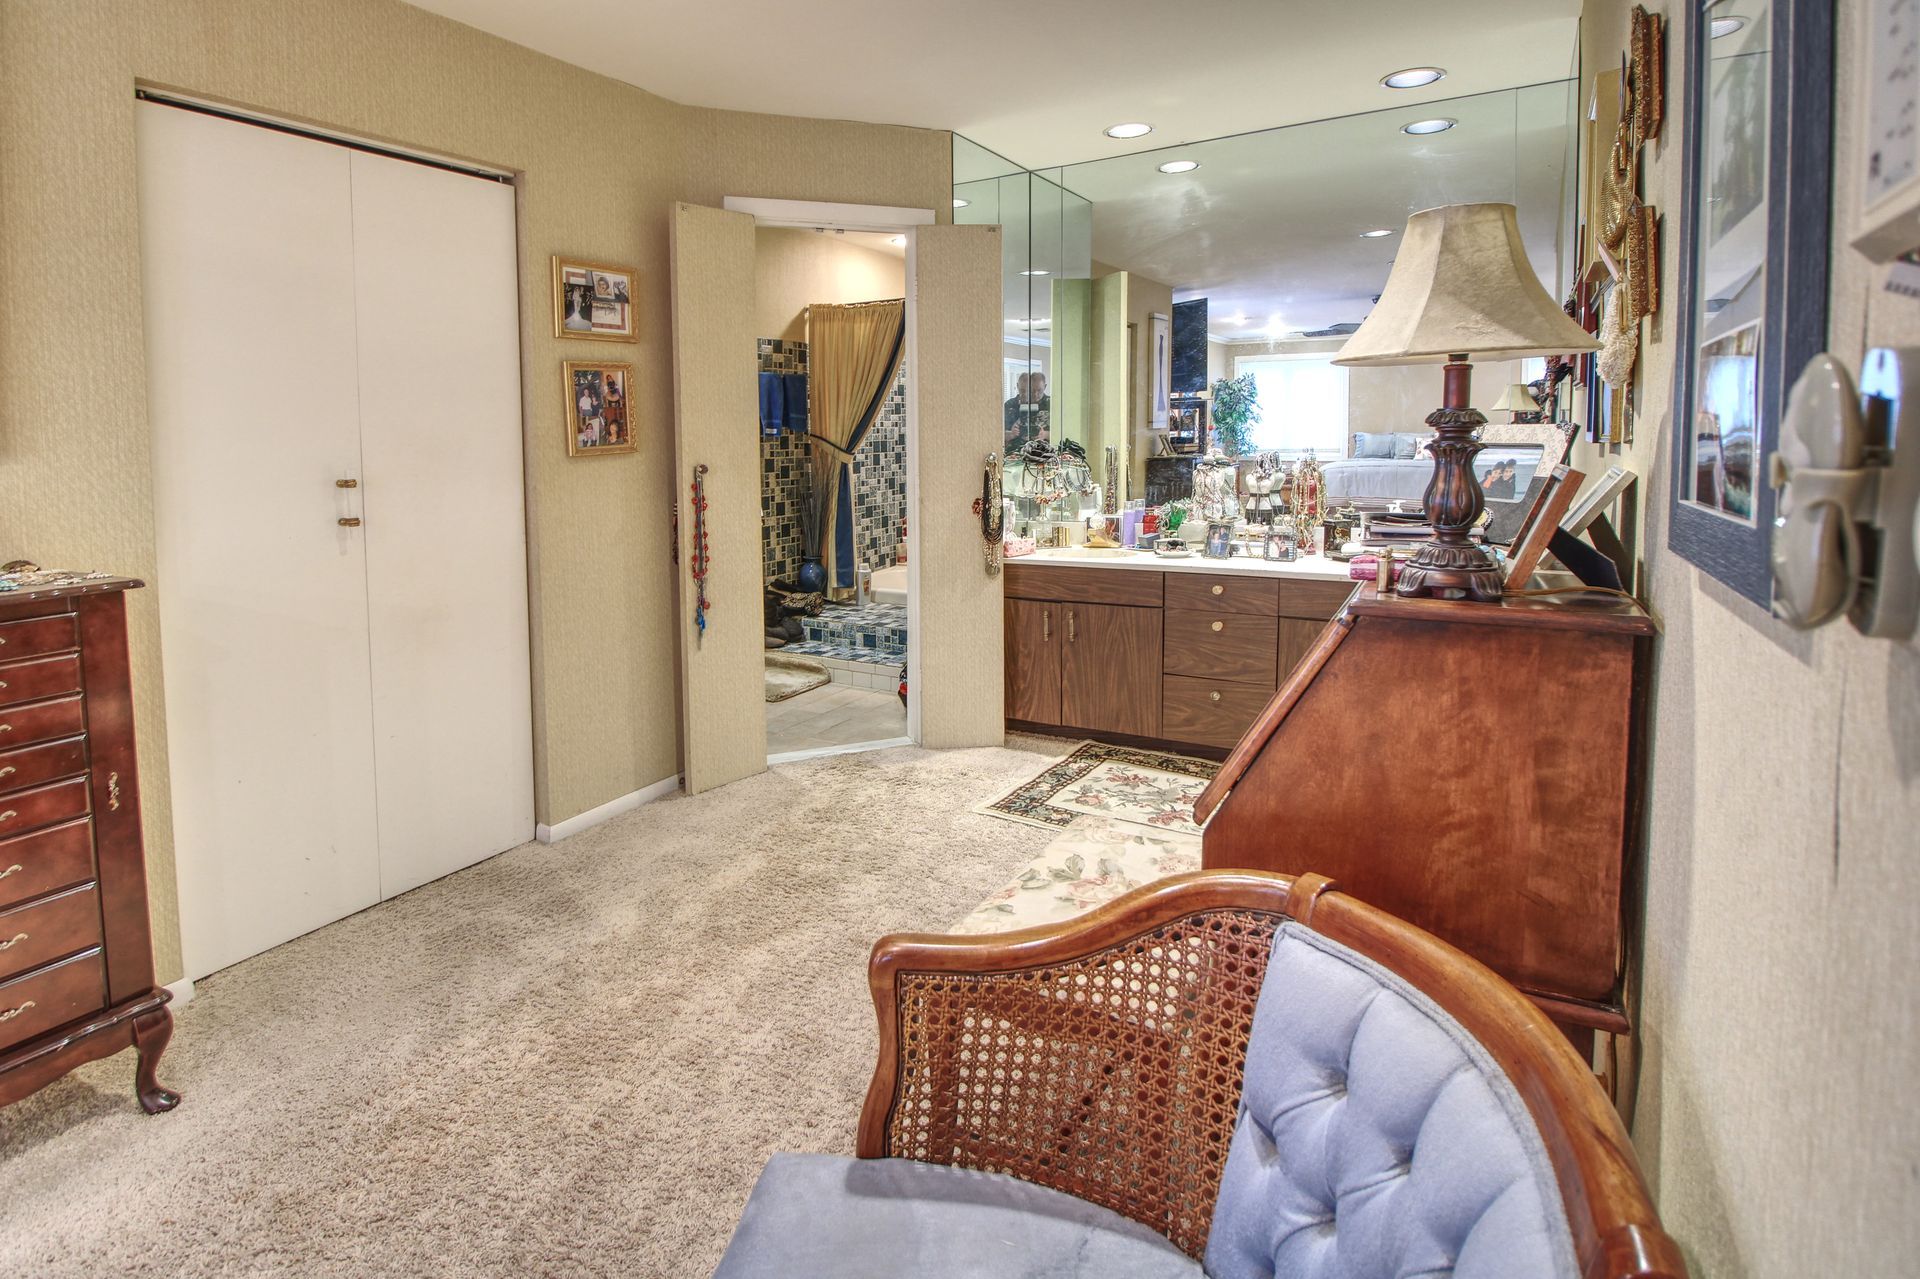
(1754, 235)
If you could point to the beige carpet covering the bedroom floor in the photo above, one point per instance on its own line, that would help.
(569, 1061)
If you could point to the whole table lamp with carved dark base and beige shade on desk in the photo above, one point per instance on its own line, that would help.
(1460, 291)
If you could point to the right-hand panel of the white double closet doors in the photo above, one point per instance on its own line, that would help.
(435, 268)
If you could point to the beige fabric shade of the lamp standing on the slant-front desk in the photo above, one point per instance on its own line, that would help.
(1462, 285)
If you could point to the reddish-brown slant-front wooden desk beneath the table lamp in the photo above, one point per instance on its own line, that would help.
(1470, 767)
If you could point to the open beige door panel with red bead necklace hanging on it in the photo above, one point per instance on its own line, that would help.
(723, 667)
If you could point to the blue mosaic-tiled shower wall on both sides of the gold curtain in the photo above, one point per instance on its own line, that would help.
(878, 479)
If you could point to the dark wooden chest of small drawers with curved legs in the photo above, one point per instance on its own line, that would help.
(76, 946)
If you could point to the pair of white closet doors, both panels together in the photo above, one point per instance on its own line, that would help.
(335, 395)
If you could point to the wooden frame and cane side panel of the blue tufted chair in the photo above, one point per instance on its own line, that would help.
(1093, 1055)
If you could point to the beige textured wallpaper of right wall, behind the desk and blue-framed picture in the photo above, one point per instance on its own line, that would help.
(1779, 1023)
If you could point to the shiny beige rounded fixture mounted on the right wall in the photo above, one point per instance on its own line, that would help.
(1848, 473)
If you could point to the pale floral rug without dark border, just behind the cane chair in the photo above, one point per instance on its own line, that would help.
(1092, 863)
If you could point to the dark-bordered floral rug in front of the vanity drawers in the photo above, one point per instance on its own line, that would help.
(1147, 788)
